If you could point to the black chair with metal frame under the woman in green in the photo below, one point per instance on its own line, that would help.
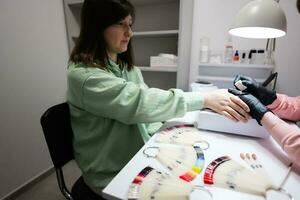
(58, 134)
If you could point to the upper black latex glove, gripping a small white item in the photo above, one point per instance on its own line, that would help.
(263, 94)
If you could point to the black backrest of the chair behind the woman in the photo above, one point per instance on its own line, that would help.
(58, 133)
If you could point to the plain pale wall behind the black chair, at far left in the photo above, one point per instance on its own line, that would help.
(33, 57)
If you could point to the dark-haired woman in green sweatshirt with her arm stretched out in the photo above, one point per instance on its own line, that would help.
(113, 112)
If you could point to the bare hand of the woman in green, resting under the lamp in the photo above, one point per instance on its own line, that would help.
(227, 104)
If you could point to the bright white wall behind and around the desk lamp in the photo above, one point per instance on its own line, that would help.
(212, 18)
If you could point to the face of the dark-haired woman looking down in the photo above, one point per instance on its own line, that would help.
(117, 36)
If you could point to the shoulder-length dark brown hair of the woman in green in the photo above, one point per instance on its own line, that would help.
(96, 16)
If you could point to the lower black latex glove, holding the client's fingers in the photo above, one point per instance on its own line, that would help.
(257, 109)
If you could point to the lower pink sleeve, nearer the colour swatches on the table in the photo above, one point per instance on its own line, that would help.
(286, 135)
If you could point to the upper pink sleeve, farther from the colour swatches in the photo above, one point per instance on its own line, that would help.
(286, 107)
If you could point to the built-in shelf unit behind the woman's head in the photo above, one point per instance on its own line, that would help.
(156, 30)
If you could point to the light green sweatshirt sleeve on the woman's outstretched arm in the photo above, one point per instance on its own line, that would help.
(130, 103)
